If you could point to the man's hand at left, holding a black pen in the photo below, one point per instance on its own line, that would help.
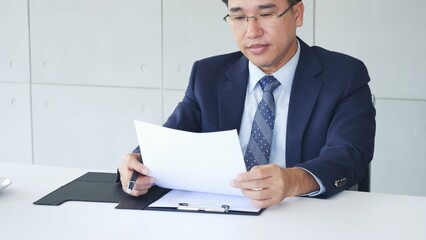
(129, 164)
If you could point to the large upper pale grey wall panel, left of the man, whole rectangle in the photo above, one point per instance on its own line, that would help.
(96, 42)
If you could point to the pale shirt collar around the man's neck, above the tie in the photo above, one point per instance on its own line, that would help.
(284, 75)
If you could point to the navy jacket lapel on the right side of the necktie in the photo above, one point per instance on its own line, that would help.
(304, 93)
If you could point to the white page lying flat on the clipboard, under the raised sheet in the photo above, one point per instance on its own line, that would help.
(204, 201)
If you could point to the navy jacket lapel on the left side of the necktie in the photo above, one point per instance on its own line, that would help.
(231, 95)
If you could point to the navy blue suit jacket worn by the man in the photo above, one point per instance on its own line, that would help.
(331, 119)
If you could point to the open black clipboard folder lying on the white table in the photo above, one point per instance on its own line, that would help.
(103, 187)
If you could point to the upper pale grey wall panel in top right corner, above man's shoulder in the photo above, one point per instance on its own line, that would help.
(387, 35)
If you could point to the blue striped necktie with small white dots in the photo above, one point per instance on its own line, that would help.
(258, 149)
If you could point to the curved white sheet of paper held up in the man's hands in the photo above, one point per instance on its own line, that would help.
(201, 162)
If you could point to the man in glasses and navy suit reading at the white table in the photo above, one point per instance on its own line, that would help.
(323, 135)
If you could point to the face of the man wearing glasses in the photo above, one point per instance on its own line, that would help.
(268, 46)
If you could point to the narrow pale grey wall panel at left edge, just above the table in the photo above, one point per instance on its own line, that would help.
(15, 123)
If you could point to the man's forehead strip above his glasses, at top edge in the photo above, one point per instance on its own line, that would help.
(246, 5)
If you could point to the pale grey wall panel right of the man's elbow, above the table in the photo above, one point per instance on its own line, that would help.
(399, 164)
